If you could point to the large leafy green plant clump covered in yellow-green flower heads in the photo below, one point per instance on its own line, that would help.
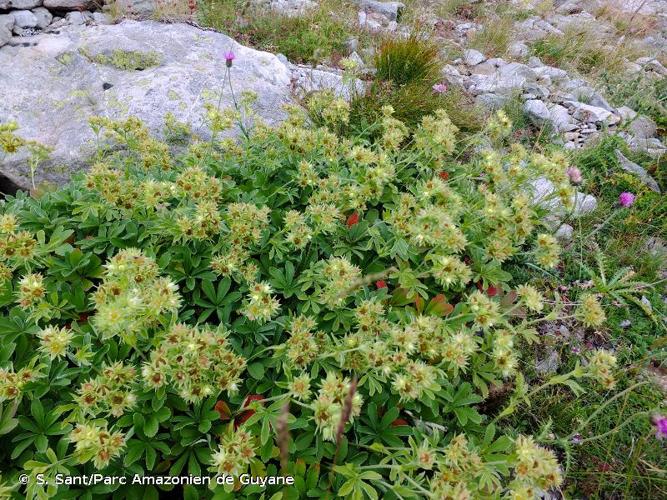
(303, 303)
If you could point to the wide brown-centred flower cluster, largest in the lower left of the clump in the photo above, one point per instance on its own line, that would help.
(197, 362)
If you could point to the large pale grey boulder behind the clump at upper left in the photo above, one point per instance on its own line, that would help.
(74, 87)
